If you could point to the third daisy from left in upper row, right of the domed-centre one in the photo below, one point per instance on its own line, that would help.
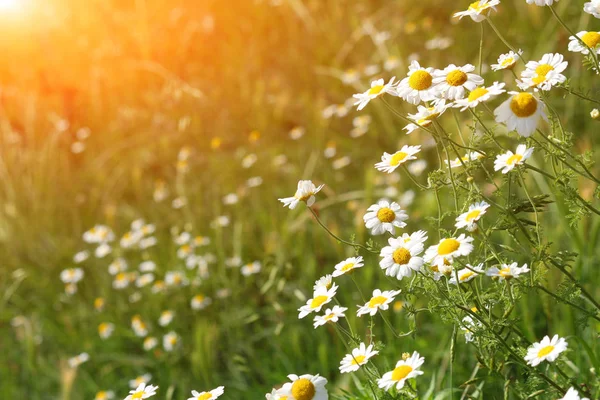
(453, 80)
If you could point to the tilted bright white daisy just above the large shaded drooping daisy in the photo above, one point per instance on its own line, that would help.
(544, 74)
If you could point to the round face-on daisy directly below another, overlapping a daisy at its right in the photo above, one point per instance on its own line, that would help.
(400, 259)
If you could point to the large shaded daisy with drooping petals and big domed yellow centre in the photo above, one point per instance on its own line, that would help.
(521, 113)
